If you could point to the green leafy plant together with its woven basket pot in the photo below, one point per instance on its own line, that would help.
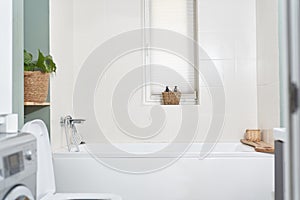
(36, 76)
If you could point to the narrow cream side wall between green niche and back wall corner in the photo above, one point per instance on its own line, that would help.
(62, 49)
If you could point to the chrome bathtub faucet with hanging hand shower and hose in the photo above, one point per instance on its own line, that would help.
(74, 138)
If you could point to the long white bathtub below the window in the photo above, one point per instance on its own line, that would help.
(232, 171)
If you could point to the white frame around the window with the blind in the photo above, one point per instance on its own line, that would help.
(154, 98)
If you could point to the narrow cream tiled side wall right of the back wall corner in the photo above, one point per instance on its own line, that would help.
(268, 65)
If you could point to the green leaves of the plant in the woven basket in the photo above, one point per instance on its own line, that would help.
(43, 63)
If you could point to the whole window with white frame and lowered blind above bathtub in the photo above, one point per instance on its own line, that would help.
(179, 16)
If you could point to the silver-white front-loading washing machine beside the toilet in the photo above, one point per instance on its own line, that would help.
(18, 166)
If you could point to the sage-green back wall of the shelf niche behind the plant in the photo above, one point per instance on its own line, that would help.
(36, 36)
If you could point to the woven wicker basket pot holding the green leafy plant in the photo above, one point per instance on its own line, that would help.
(36, 86)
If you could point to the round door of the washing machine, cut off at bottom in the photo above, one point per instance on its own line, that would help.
(19, 193)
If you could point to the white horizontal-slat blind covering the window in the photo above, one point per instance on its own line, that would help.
(178, 16)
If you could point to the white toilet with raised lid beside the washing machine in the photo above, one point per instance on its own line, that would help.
(46, 189)
